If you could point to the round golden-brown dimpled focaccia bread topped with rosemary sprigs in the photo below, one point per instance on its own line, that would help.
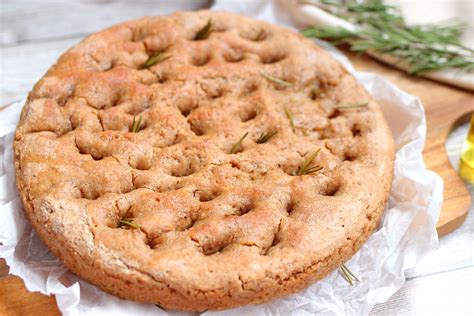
(201, 160)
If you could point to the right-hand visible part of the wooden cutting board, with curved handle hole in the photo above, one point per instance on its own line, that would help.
(444, 106)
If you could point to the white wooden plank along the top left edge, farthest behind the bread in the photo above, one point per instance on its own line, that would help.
(26, 20)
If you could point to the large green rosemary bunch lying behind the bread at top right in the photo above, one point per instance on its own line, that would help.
(382, 29)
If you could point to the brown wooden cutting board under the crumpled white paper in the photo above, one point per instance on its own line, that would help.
(444, 106)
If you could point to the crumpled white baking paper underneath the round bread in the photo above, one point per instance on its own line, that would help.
(406, 234)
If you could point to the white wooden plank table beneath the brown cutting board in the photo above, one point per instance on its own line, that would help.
(32, 36)
